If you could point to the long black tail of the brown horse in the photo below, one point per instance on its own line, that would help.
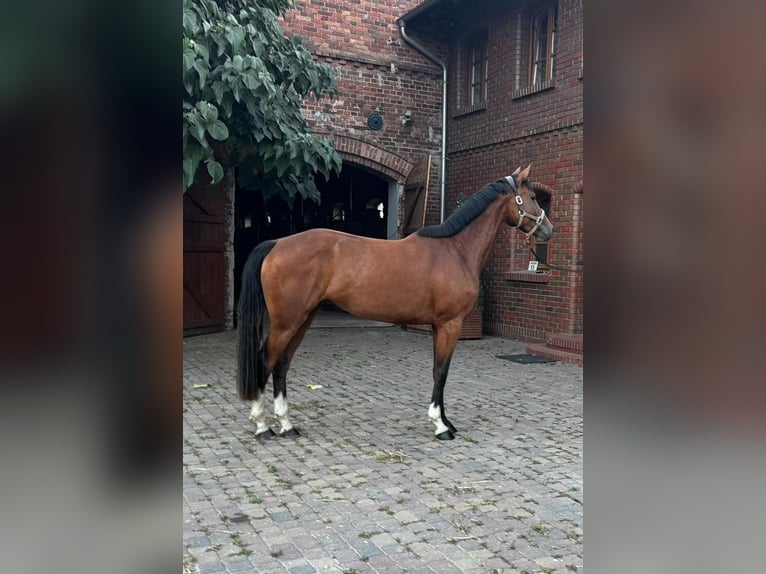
(252, 327)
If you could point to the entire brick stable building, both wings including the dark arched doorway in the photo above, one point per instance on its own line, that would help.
(514, 96)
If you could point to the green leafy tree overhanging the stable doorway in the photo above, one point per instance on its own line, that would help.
(244, 83)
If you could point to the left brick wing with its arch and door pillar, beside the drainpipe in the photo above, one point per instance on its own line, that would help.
(387, 118)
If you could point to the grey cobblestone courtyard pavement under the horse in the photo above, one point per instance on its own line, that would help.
(367, 487)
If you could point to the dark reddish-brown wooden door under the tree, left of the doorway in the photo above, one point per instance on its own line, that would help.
(204, 264)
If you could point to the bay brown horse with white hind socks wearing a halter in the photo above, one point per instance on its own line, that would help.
(431, 277)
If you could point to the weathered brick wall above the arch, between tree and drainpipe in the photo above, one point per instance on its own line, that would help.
(376, 72)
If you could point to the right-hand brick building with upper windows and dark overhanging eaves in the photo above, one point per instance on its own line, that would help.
(515, 96)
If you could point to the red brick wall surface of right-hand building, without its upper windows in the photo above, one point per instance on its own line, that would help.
(543, 128)
